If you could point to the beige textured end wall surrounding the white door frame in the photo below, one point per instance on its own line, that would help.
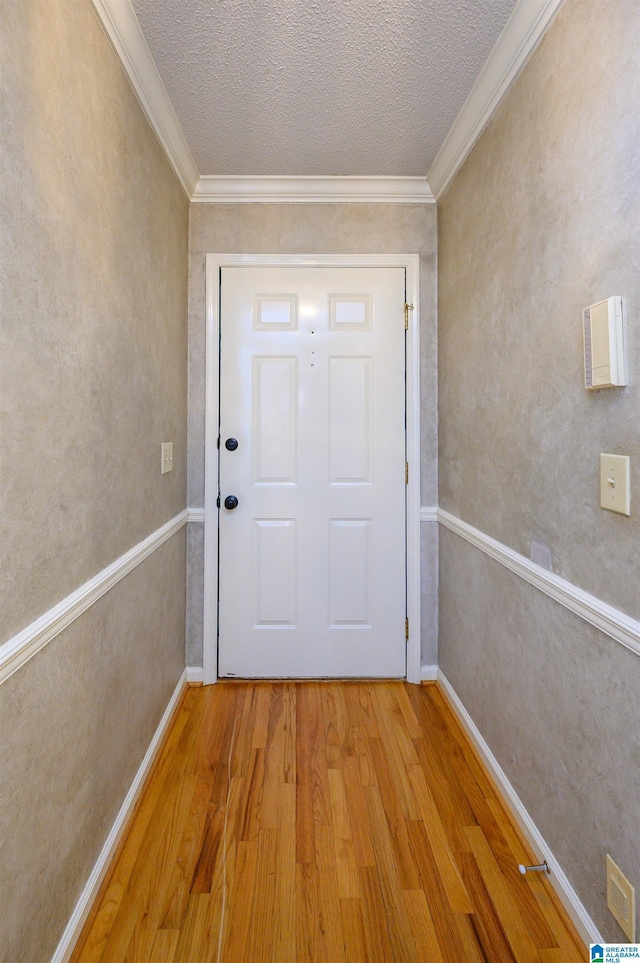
(311, 229)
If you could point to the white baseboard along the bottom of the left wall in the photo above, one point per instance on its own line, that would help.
(89, 893)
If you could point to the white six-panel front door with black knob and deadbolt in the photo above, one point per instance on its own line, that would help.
(312, 576)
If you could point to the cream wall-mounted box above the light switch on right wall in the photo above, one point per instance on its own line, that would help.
(605, 362)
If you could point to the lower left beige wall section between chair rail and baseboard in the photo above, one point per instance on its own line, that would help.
(76, 722)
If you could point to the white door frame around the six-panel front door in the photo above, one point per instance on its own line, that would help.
(214, 262)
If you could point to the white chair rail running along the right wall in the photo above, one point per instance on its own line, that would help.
(602, 616)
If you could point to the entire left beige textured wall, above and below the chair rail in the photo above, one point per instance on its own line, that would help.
(93, 342)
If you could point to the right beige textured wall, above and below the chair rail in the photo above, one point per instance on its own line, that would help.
(542, 220)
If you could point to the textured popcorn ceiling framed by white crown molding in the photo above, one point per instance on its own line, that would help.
(319, 87)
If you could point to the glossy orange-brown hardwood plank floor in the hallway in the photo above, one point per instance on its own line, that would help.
(322, 821)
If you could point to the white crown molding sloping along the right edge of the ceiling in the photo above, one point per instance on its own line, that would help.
(523, 31)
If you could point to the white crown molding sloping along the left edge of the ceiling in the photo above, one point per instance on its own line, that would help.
(123, 30)
